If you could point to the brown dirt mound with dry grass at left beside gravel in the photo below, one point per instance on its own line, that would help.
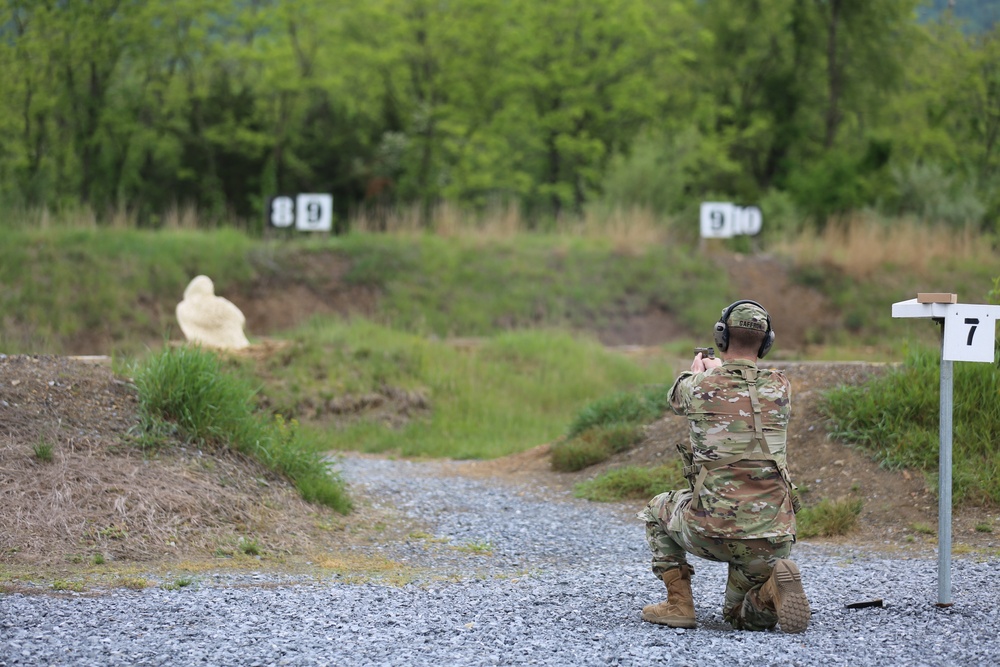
(74, 490)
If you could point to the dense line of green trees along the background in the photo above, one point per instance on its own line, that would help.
(816, 106)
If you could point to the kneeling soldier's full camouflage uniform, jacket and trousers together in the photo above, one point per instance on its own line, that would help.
(739, 509)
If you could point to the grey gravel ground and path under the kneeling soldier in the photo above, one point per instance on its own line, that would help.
(509, 575)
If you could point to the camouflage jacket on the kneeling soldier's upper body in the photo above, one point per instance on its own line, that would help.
(749, 498)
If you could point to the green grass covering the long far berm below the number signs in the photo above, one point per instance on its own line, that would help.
(63, 283)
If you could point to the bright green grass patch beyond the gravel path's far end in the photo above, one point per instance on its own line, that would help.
(503, 395)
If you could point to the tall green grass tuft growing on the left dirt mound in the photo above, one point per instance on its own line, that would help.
(187, 386)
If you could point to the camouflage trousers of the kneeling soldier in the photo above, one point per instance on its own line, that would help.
(750, 561)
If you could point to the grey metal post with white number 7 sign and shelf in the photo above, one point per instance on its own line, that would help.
(968, 334)
